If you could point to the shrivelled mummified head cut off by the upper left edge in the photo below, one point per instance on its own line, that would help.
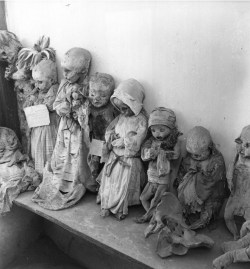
(9, 46)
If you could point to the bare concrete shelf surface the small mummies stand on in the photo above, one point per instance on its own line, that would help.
(126, 238)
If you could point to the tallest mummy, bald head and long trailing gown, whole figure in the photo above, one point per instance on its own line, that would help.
(64, 180)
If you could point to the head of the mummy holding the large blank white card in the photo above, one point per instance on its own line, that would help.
(45, 74)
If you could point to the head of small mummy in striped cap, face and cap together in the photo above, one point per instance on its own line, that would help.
(161, 121)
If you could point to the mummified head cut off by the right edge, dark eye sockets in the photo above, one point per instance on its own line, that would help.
(243, 142)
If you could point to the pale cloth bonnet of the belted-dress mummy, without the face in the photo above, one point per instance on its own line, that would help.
(131, 93)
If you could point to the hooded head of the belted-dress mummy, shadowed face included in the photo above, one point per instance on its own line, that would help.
(128, 97)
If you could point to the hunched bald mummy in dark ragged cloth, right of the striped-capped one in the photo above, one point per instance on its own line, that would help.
(202, 180)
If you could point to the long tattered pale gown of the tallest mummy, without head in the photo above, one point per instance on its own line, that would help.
(65, 179)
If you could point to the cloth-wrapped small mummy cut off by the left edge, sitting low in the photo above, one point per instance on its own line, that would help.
(17, 173)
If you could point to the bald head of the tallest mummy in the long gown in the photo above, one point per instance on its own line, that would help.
(76, 64)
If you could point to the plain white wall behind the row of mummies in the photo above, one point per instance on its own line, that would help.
(192, 57)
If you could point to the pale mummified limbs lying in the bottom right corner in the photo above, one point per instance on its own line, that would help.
(235, 251)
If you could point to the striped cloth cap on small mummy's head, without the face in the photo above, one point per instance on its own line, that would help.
(162, 116)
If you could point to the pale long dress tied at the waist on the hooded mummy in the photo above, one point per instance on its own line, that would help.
(123, 174)
